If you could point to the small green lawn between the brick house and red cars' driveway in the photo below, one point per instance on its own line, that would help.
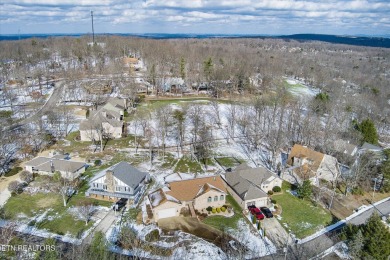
(221, 222)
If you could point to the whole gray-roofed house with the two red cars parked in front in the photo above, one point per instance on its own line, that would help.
(249, 186)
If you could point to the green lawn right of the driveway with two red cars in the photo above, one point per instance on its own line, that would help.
(301, 216)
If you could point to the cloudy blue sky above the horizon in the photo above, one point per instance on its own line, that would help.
(266, 17)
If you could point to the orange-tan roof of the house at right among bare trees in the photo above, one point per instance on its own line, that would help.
(300, 151)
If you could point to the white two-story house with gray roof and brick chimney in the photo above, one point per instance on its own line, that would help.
(118, 181)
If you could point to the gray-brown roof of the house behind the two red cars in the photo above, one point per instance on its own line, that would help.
(246, 181)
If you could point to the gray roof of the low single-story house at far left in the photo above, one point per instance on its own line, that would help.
(44, 164)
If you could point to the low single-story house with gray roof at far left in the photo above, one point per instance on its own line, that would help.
(58, 163)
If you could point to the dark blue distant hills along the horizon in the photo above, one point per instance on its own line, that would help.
(368, 41)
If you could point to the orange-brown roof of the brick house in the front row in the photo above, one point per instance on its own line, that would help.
(187, 190)
